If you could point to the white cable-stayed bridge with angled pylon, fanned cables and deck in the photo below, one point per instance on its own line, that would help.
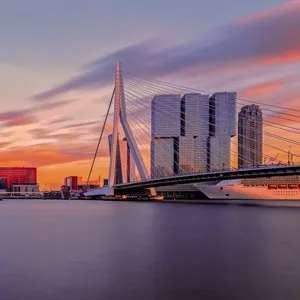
(166, 134)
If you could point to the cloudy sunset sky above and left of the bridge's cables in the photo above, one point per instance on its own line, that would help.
(57, 62)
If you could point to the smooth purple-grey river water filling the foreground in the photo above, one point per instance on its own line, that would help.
(112, 250)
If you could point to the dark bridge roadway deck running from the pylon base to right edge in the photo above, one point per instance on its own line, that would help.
(269, 171)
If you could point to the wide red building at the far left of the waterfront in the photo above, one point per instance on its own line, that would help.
(17, 175)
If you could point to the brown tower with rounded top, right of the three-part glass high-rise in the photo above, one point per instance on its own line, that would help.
(250, 136)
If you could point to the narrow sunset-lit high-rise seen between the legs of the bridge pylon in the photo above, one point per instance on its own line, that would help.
(127, 162)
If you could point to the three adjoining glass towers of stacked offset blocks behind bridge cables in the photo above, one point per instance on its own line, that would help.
(191, 133)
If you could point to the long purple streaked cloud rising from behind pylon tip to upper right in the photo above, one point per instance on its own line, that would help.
(267, 38)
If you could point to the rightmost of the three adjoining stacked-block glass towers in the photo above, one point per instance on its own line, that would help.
(222, 122)
